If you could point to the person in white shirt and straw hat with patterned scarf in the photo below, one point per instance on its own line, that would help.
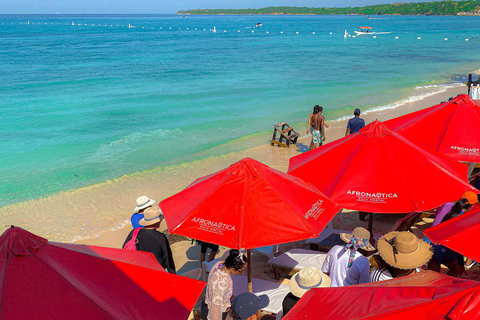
(347, 265)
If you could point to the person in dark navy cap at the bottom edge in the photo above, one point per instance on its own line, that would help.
(248, 306)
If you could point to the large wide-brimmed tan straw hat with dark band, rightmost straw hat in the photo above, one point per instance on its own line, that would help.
(403, 250)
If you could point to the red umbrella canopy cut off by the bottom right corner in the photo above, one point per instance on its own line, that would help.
(428, 295)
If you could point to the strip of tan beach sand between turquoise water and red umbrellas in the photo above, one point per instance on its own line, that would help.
(118, 197)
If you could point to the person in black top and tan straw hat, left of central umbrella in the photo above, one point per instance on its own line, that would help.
(151, 240)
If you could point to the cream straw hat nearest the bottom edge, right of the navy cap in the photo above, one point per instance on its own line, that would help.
(307, 278)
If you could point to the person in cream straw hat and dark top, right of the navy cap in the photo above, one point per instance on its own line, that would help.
(301, 282)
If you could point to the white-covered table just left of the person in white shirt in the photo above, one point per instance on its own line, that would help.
(299, 259)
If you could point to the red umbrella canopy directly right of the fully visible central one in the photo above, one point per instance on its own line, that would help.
(378, 170)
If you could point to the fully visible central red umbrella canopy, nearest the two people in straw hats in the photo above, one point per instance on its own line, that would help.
(248, 205)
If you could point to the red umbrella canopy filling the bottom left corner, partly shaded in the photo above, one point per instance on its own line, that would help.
(48, 280)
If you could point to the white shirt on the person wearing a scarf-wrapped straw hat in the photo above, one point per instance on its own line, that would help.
(336, 263)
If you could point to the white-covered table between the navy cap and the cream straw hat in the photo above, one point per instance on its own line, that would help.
(275, 291)
